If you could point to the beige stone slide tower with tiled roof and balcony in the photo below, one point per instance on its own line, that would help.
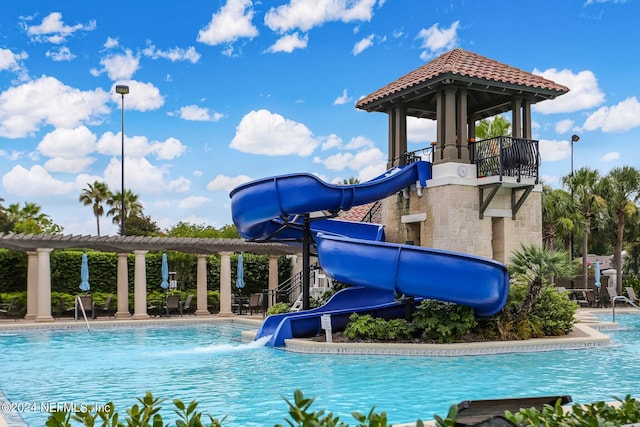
(484, 197)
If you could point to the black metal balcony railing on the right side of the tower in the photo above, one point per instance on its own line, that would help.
(506, 156)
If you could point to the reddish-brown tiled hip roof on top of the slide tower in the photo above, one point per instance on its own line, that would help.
(460, 64)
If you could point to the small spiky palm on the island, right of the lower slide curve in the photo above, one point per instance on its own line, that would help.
(535, 264)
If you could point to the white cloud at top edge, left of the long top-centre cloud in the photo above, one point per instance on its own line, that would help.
(230, 23)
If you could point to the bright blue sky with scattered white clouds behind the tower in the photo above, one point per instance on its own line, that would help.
(224, 91)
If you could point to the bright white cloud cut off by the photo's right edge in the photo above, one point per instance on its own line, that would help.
(618, 118)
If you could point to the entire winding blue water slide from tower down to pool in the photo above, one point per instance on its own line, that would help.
(356, 254)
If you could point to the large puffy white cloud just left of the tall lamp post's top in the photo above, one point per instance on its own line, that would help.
(58, 105)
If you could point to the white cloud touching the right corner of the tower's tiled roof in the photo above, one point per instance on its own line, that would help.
(583, 92)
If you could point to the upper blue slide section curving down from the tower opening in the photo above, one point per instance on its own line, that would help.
(261, 207)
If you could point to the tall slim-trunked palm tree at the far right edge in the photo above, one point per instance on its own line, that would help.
(621, 190)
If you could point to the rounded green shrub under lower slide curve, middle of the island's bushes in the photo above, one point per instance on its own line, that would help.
(443, 322)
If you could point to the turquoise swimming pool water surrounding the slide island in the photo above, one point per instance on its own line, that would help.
(246, 382)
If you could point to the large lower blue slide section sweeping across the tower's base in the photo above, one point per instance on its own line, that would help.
(476, 282)
